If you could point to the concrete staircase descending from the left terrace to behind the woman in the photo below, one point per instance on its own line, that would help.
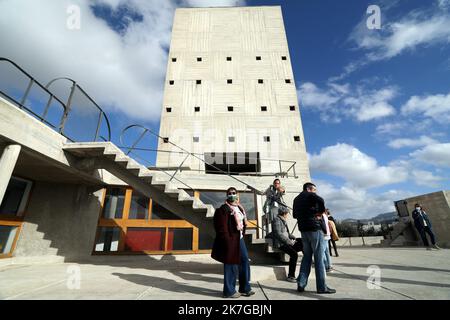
(155, 185)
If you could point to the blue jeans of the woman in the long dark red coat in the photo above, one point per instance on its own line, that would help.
(232, 271)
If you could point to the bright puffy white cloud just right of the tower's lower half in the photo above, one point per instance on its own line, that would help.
(356, 167)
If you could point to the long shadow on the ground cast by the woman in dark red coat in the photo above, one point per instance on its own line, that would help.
(168, 285)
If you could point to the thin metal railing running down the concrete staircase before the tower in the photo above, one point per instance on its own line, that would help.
(133, 147)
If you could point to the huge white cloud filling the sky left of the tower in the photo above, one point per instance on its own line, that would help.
(122, 71)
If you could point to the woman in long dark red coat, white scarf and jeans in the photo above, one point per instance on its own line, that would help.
(229, 247)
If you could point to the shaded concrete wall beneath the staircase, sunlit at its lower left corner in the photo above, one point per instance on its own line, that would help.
(61, 219)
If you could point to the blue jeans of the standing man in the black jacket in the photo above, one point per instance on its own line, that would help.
(313, 244)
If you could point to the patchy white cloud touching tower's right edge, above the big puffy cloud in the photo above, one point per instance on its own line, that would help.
(343, 100)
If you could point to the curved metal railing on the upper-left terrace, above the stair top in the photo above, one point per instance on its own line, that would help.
(78, 119)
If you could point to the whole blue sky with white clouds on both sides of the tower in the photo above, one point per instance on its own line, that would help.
(375, 104)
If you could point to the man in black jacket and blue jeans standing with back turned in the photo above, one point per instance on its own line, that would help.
(308, 209)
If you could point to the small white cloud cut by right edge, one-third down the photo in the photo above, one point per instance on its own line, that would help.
(436, 107)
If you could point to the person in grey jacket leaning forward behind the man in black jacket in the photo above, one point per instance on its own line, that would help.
(286, 241)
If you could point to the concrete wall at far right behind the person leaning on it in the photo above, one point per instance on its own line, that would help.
(437, 206)
